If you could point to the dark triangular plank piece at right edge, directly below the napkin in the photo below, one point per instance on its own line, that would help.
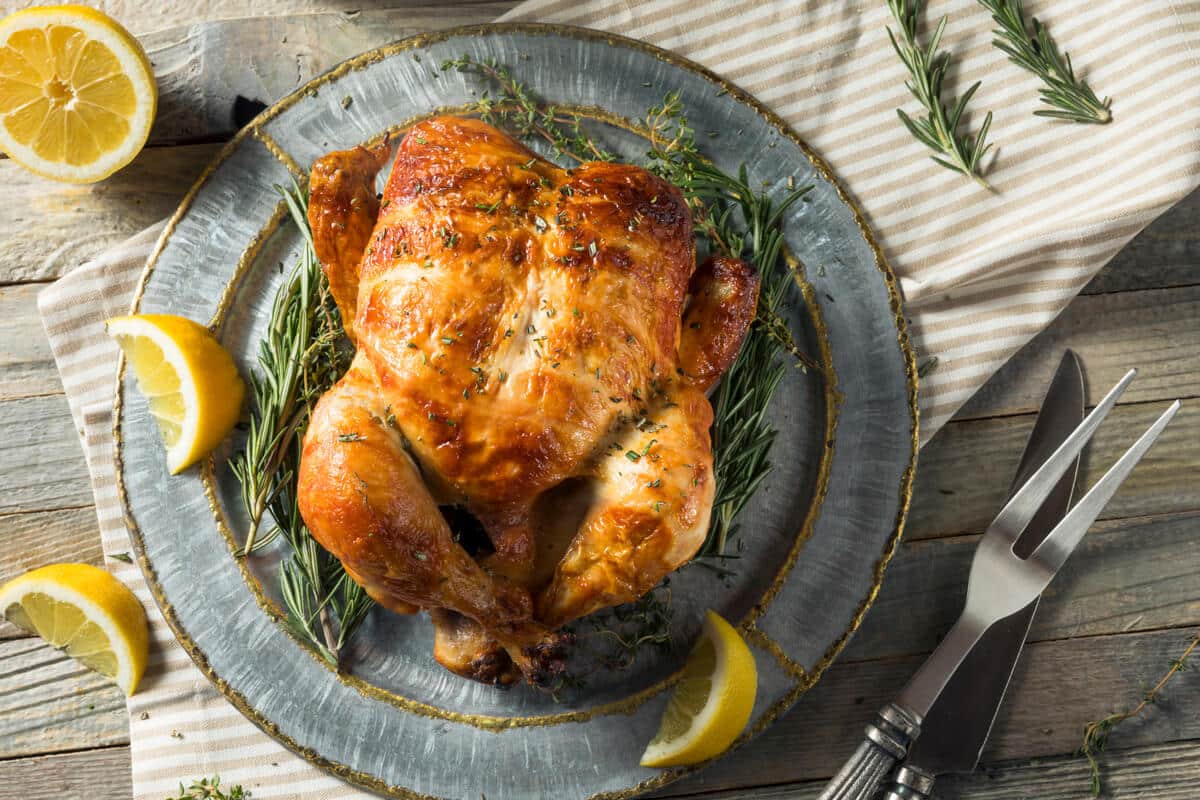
(1165, 255)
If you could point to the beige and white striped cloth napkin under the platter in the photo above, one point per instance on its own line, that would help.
(982, 273)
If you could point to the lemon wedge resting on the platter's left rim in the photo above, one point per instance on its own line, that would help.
(190, 381)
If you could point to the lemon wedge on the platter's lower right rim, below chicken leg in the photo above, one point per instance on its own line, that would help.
(711, 705)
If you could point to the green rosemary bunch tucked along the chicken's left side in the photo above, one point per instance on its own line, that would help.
(301, 358)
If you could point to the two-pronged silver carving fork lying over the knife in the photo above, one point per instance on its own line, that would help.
(1001, 584)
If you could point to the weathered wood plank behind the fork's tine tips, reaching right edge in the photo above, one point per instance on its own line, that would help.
(1155, 332)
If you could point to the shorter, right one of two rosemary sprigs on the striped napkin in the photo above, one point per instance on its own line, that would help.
(1070, 98)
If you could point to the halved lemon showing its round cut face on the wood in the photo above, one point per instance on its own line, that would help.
(77, 93)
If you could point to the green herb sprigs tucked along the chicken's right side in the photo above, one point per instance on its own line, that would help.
(741, 222)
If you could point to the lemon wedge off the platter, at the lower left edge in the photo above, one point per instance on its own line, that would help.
(85, 612)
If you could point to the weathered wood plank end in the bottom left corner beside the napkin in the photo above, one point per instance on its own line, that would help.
(87, 775)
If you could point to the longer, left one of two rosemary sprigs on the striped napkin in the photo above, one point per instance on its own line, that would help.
(939, 129)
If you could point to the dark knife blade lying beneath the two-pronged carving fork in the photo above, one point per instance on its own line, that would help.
(957, 727)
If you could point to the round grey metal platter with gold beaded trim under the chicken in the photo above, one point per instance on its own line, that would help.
(814, 540)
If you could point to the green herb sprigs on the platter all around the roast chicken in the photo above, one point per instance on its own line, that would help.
(305, 353)
